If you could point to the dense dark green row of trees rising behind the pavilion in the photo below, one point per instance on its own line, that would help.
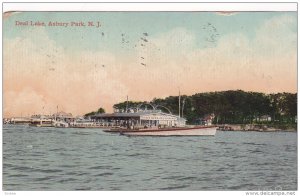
(233, 107)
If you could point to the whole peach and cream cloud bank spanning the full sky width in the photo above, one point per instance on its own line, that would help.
(38, 72)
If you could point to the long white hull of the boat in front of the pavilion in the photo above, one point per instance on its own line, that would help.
(209, 131)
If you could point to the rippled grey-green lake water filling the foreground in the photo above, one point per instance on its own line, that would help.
(89, 159)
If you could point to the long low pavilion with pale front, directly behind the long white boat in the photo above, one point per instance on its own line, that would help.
(146, 118)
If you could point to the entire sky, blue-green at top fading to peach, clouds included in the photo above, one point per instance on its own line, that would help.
(142, 55)
